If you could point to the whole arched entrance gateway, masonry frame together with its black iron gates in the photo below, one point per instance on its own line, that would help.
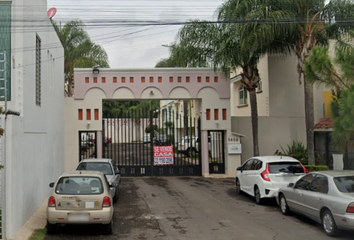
(212, 147)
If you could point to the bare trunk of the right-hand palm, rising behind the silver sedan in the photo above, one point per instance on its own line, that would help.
(309, 116)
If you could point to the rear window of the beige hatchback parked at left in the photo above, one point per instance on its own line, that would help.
(79, 185)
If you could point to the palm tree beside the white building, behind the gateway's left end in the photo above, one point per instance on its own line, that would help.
(79, 50)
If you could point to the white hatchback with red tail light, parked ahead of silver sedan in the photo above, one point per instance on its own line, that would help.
(262, 176)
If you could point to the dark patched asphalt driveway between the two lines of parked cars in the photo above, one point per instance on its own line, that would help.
(195, 208)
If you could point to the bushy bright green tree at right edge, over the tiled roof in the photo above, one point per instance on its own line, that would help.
(336, 72)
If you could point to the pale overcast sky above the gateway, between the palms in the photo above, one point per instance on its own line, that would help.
(135, 34)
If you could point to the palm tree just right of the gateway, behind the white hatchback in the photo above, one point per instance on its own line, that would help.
(227, 45)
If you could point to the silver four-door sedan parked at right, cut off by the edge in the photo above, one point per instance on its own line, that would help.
(325, 196)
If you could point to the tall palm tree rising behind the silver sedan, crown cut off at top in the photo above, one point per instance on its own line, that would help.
(313, 22)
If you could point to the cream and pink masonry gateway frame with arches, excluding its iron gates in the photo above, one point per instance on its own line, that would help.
(210, 89)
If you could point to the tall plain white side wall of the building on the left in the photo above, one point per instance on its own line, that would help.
(35, 140)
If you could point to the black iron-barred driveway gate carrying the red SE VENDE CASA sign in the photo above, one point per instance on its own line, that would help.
(131, 140)
